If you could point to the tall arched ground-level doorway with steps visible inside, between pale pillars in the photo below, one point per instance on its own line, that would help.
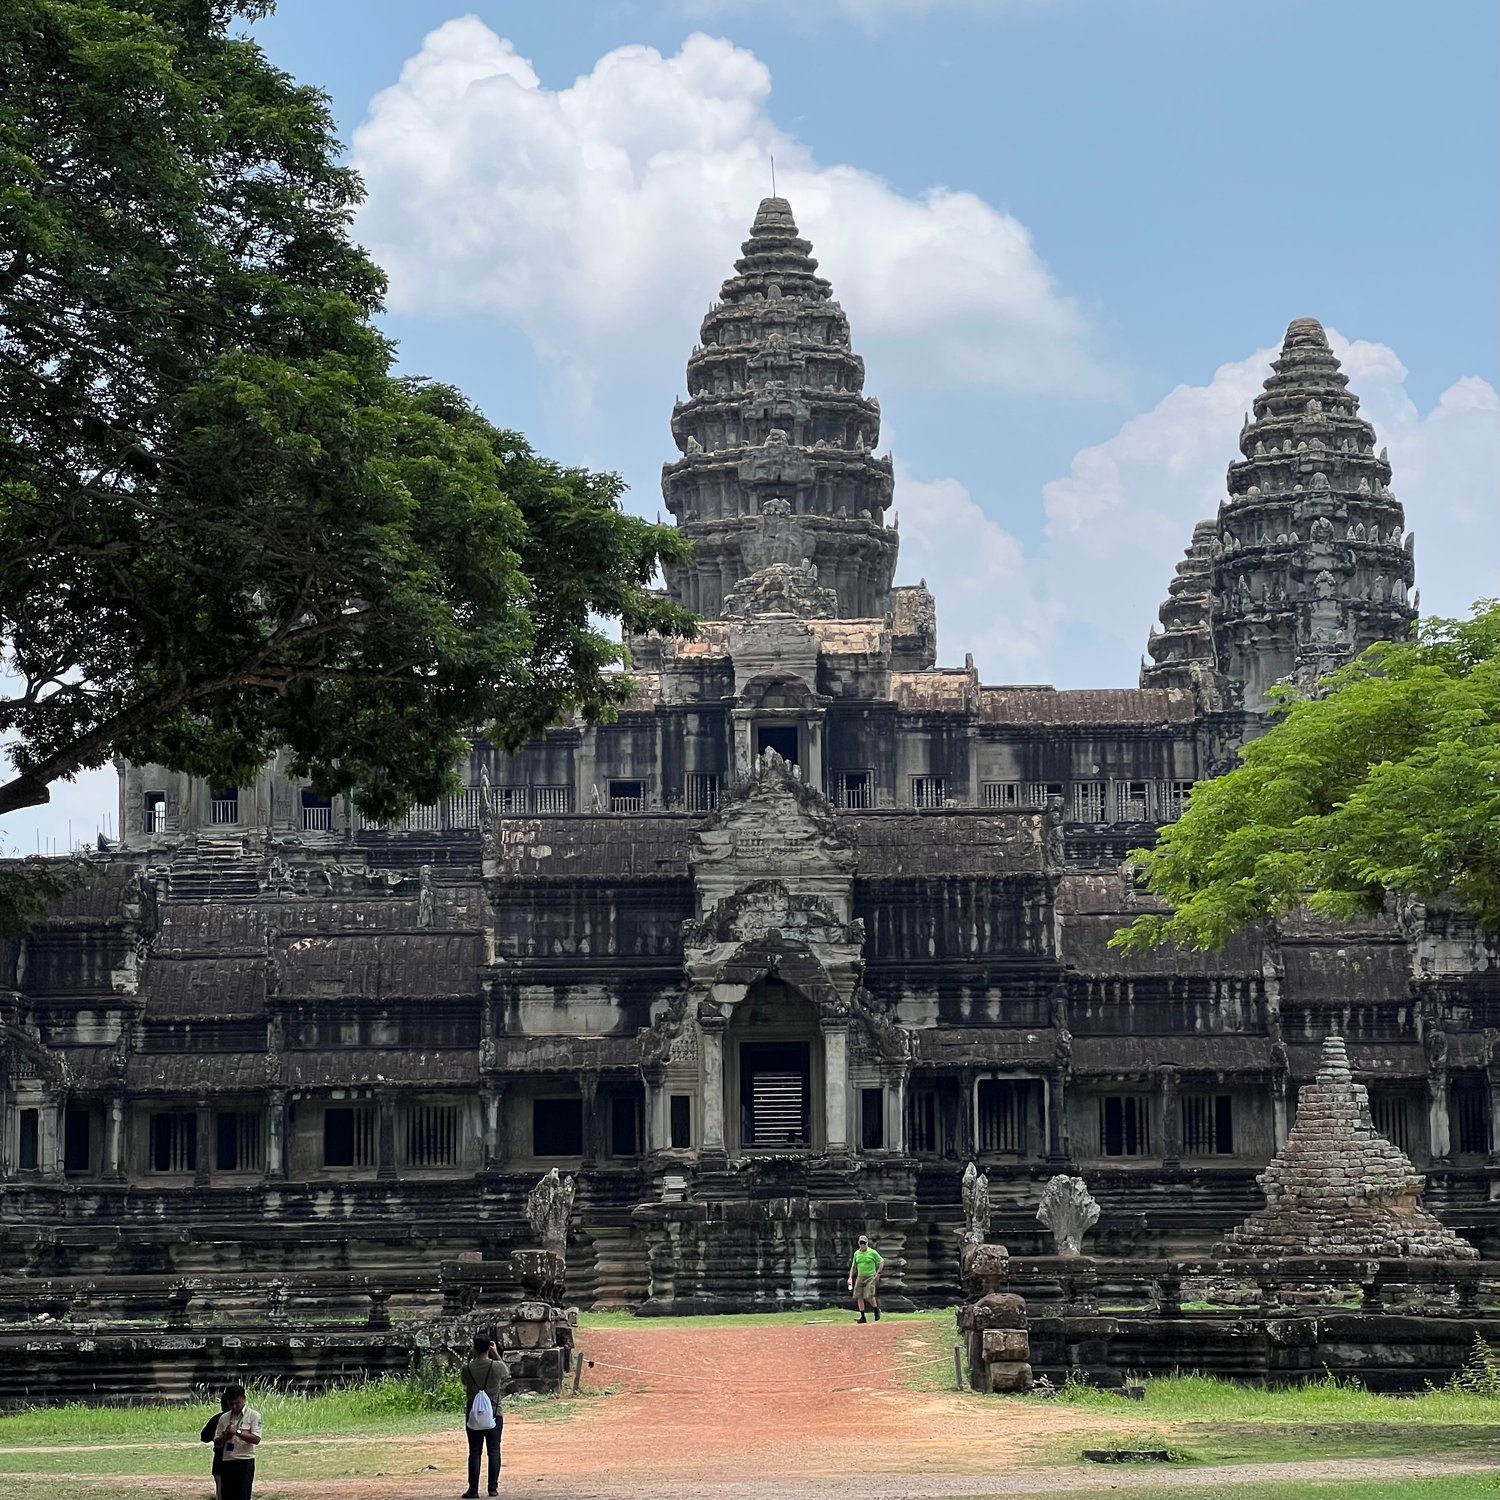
(778, 1069)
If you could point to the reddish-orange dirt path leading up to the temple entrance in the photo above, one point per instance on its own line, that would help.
(782, 1412)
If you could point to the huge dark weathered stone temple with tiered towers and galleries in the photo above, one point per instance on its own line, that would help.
(769, 961)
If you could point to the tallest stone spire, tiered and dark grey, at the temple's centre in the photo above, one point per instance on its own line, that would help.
(778, 439)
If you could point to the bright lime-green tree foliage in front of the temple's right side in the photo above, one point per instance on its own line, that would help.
(1388, 784)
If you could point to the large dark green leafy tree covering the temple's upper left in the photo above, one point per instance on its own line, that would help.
(226, 527)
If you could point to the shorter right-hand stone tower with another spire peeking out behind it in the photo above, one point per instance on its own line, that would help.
(1307, 563)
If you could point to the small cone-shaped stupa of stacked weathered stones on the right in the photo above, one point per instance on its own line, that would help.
(1339, 1187)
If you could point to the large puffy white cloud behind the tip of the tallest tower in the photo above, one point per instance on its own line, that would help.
(599, 218)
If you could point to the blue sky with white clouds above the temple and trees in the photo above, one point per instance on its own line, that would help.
(1067, 235)
